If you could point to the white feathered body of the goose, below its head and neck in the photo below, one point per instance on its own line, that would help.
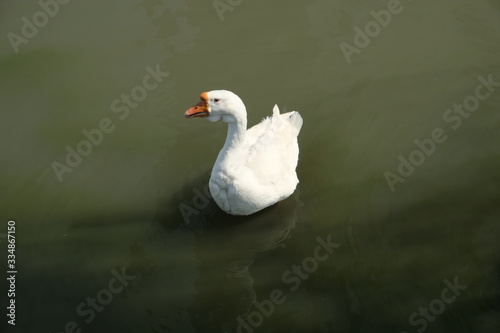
(260, 171)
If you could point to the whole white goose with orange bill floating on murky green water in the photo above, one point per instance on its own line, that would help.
(256, 167)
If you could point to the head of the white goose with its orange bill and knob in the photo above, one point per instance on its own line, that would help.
(218, 105)
